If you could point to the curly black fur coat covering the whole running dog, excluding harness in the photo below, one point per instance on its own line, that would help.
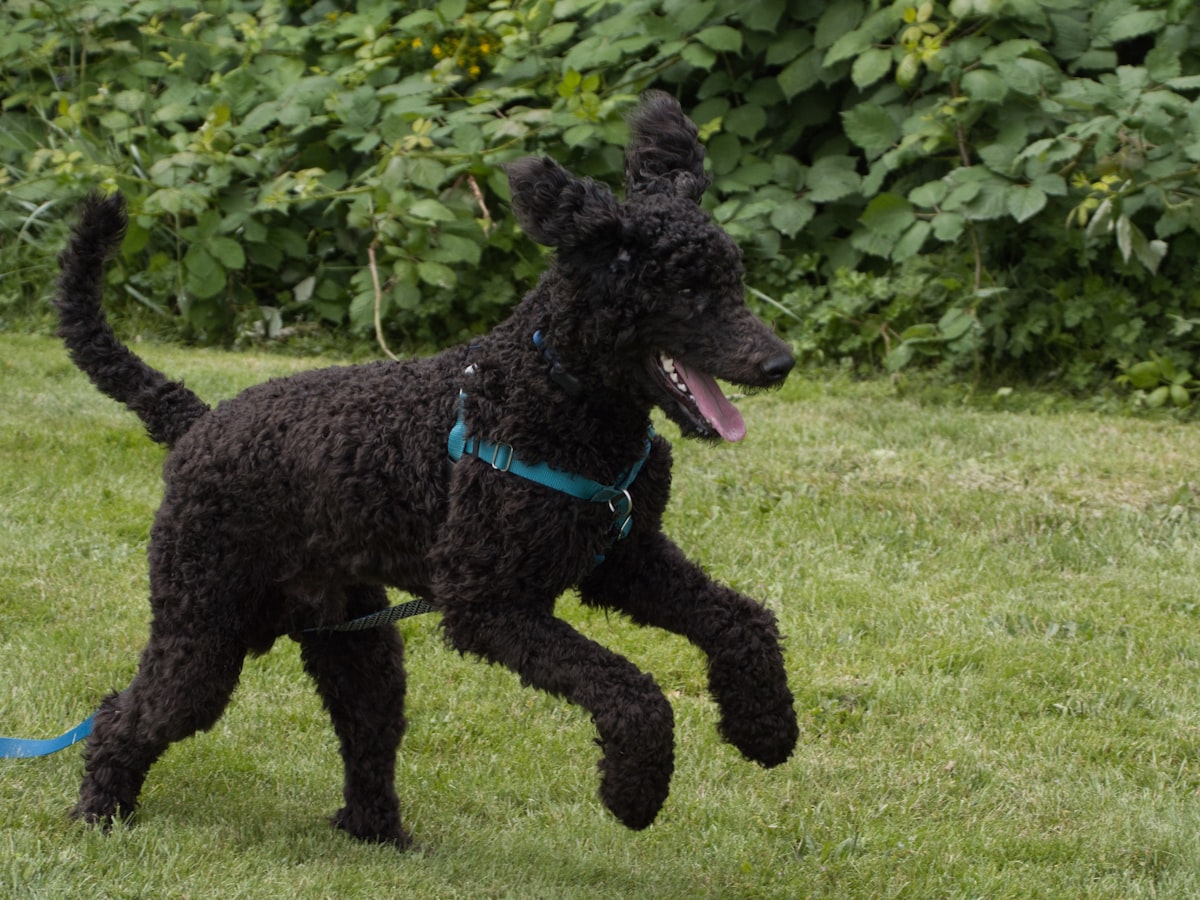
(291, 506)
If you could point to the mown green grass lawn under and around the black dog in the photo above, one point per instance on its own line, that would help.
(994, 639)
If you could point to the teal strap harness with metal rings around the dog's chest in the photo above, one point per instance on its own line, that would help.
(502, 458)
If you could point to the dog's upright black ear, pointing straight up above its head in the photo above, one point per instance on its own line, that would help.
(664, 154)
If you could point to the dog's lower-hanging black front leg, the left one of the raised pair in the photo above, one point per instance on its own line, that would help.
(633, 717)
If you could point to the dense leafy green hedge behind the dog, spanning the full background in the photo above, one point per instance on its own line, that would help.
(991, 184)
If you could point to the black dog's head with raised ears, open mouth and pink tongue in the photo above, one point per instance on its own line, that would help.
(652, 299)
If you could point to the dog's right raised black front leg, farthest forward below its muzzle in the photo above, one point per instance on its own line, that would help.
(649, 579)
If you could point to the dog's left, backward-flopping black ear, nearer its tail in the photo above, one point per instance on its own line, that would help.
(561, 211)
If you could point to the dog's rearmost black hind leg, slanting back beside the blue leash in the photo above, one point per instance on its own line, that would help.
(188, 673)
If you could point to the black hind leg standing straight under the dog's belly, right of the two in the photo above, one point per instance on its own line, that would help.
(361, 677)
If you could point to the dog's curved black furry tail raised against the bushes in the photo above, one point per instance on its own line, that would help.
(167, 409)
